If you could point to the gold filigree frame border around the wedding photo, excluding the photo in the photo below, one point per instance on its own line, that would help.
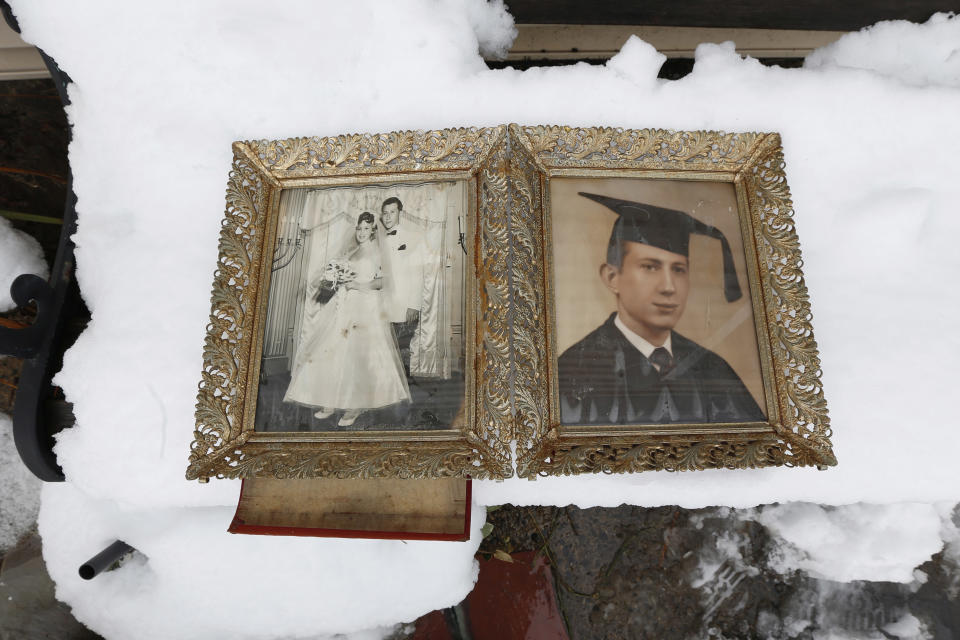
(225, 443)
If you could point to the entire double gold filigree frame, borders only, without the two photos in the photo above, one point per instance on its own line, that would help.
(511, 390)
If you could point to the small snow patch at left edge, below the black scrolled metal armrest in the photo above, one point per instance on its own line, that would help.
(20, 497)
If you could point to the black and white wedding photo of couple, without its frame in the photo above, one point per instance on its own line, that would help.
(365, 316)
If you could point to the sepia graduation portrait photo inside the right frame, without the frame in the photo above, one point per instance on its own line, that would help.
(654, 317)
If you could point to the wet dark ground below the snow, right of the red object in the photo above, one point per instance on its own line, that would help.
(636, 573)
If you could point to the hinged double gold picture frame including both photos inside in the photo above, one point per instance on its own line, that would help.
(537, 212)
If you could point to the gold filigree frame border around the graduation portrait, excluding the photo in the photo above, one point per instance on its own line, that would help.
(798, 430)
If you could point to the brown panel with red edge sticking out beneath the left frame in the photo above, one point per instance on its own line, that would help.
(383, 508)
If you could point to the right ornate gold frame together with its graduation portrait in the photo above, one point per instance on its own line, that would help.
(574, 407)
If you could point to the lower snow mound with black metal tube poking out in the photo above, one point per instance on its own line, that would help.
(256, 586)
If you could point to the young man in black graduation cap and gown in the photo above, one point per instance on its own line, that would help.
(634, 368)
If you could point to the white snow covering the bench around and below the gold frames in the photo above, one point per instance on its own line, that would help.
(159, 95)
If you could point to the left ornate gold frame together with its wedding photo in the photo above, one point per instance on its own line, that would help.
(268, 185)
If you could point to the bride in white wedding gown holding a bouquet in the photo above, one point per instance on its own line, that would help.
(349, 360)
